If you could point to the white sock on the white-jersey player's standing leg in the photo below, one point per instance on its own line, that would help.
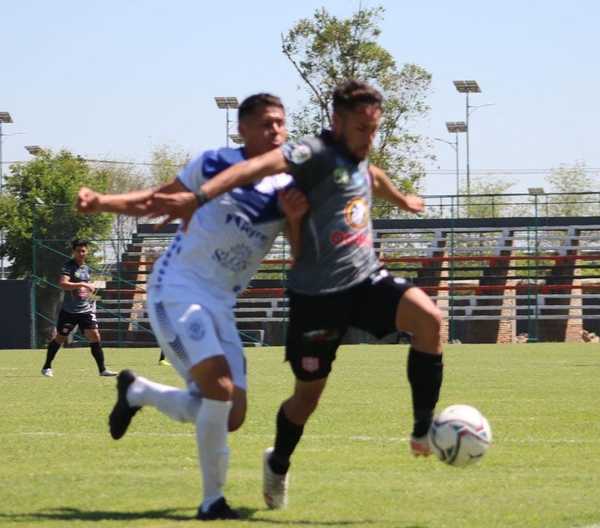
(211, 436)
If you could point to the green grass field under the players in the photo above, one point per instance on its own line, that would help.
(60, 468)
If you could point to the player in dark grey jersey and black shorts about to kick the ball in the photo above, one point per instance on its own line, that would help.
(337, 280)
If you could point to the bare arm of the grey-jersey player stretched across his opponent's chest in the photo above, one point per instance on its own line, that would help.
(183, 204)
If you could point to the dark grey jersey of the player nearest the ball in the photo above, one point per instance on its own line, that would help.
(337, 235)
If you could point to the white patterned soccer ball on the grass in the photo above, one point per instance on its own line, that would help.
(460, 435)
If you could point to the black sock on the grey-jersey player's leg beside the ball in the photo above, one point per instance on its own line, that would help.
(425, 373)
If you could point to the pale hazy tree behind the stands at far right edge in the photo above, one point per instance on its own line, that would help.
(572, 179)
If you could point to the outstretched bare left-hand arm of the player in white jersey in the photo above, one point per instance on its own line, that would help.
(133, 203)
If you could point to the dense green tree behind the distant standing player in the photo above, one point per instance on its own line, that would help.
(38, 203)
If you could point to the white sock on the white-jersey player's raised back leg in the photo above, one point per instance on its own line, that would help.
(179, 404)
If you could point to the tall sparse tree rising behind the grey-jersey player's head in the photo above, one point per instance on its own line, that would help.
(326, 50)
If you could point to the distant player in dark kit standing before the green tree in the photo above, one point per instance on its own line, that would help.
(77, 309)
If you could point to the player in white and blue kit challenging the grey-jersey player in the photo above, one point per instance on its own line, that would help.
(192, 292)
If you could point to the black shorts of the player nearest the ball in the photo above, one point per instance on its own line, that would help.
(318, 322)
